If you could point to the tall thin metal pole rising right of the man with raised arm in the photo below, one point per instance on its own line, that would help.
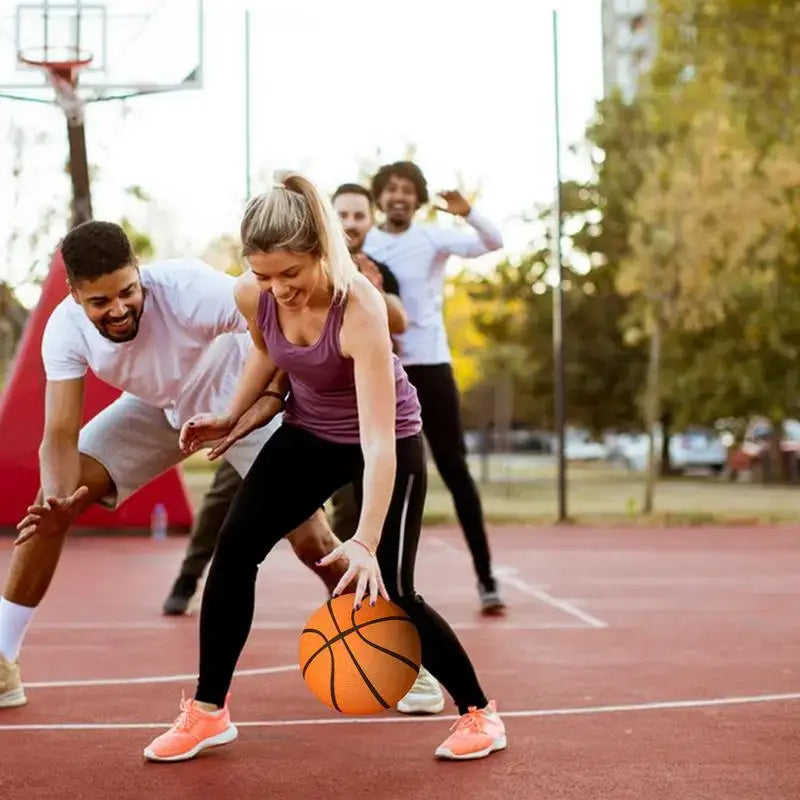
(558, 302)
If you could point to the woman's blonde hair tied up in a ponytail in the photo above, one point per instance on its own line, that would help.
(295, 216)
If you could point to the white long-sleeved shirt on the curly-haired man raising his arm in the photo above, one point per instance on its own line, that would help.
(418, 257)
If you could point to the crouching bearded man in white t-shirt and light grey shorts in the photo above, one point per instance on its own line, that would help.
(171, 338)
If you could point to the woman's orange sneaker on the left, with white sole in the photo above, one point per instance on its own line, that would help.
(194, 730)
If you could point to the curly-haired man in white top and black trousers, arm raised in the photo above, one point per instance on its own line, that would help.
(417, 255)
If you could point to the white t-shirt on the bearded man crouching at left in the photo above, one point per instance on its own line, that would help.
(187, 356)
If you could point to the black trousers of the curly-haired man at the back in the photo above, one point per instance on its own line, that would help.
(441, 423)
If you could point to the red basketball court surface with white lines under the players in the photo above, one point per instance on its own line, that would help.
(643, 665)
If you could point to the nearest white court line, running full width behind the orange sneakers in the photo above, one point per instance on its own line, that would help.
(543, 712)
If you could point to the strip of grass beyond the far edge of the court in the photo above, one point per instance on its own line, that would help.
(524, 490)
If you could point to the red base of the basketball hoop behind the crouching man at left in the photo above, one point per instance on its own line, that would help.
(22, 421)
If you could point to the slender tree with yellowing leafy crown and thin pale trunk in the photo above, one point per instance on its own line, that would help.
(697, 223)
